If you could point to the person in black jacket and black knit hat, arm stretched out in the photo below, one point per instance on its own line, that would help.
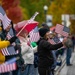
(45, 57)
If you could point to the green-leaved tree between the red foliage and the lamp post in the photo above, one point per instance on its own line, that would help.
(30, 7)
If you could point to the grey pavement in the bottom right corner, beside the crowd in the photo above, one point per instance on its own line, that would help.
(69, 70)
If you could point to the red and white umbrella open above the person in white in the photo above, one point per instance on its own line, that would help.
(29, 26)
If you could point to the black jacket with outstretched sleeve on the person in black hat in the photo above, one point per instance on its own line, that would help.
(44, 53)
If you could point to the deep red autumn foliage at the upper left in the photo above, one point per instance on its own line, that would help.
(12, 9)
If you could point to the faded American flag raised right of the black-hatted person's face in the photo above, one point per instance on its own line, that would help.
(63, 30)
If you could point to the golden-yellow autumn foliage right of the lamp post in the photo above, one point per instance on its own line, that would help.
(59, 7)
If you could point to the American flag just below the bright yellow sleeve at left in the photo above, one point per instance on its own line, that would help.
(9, 51)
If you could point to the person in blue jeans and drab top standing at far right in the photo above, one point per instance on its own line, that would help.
(69, 48)
